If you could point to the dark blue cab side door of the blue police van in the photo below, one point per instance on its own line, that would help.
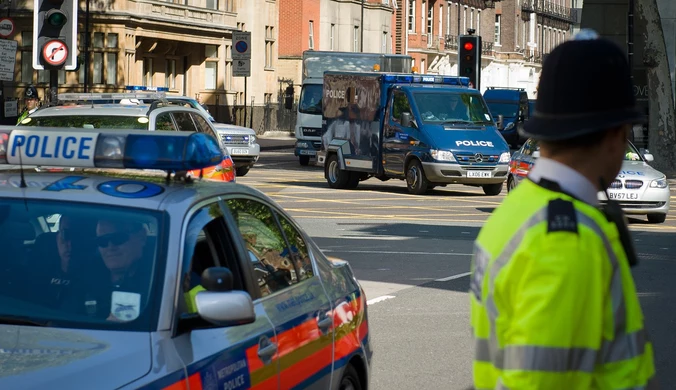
(395, 134)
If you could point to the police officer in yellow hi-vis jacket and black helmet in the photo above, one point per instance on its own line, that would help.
(553, 302)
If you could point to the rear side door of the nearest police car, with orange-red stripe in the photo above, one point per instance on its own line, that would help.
(292, 293)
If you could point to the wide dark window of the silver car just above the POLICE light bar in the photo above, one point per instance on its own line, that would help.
(90, 121)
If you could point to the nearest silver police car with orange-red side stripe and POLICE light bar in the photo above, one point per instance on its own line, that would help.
(128, 282)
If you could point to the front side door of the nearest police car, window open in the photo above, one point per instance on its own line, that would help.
(236, 357)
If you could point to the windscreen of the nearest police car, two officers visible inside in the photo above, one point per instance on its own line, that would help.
(79, 265)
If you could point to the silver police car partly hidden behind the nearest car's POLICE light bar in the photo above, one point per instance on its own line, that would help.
(95, 111)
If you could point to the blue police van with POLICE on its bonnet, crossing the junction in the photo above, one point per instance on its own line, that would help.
(427, 130)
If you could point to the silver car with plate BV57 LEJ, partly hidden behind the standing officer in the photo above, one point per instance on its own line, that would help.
(639, 188)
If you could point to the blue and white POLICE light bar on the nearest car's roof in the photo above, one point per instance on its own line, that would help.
(89, 148)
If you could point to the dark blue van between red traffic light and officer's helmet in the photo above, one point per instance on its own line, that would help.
(510, 108)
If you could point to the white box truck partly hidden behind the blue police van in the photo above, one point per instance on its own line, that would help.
(309, 111)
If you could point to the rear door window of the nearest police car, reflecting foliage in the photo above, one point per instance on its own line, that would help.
(273, 264)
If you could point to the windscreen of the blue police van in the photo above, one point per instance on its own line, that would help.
(452, 108)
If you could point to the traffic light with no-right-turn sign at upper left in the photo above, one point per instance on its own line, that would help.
(55, 34)
